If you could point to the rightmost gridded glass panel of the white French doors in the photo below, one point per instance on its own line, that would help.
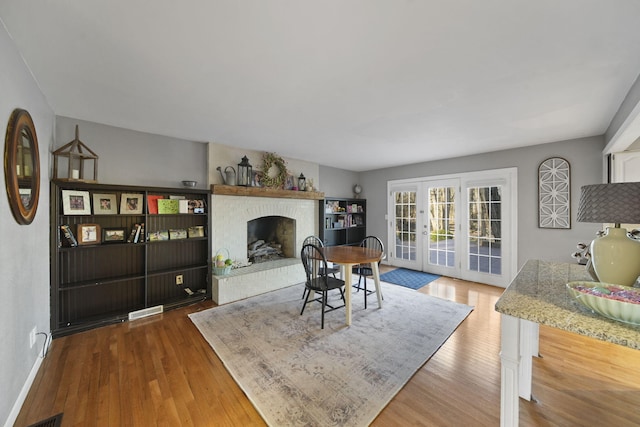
(485, 230)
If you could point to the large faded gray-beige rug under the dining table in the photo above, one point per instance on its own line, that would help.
(297, 374)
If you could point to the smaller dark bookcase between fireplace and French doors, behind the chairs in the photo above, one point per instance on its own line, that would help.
(343, 221)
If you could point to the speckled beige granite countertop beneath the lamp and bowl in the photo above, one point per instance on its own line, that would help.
(539, 294)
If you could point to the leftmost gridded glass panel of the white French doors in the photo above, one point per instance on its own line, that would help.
(405, 207)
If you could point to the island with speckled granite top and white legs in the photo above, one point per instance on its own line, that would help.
(538, 296)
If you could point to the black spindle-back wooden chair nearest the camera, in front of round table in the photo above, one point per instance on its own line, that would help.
(318, 280)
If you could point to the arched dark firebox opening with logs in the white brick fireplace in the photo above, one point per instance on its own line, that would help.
(270, 238)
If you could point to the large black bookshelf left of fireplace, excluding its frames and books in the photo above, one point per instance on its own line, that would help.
(97, 284)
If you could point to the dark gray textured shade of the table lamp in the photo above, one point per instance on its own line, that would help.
(610, 203)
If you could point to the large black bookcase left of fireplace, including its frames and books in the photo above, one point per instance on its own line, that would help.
(121, 252)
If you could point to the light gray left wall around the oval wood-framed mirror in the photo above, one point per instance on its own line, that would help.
(24, 249)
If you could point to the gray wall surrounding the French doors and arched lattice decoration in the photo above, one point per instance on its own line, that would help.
(584, 155)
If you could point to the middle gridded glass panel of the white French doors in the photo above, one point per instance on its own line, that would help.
(442, 226)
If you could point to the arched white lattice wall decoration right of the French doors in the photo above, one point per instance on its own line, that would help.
(554, 193)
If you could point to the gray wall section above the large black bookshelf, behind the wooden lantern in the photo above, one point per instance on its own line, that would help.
(135, 158)
